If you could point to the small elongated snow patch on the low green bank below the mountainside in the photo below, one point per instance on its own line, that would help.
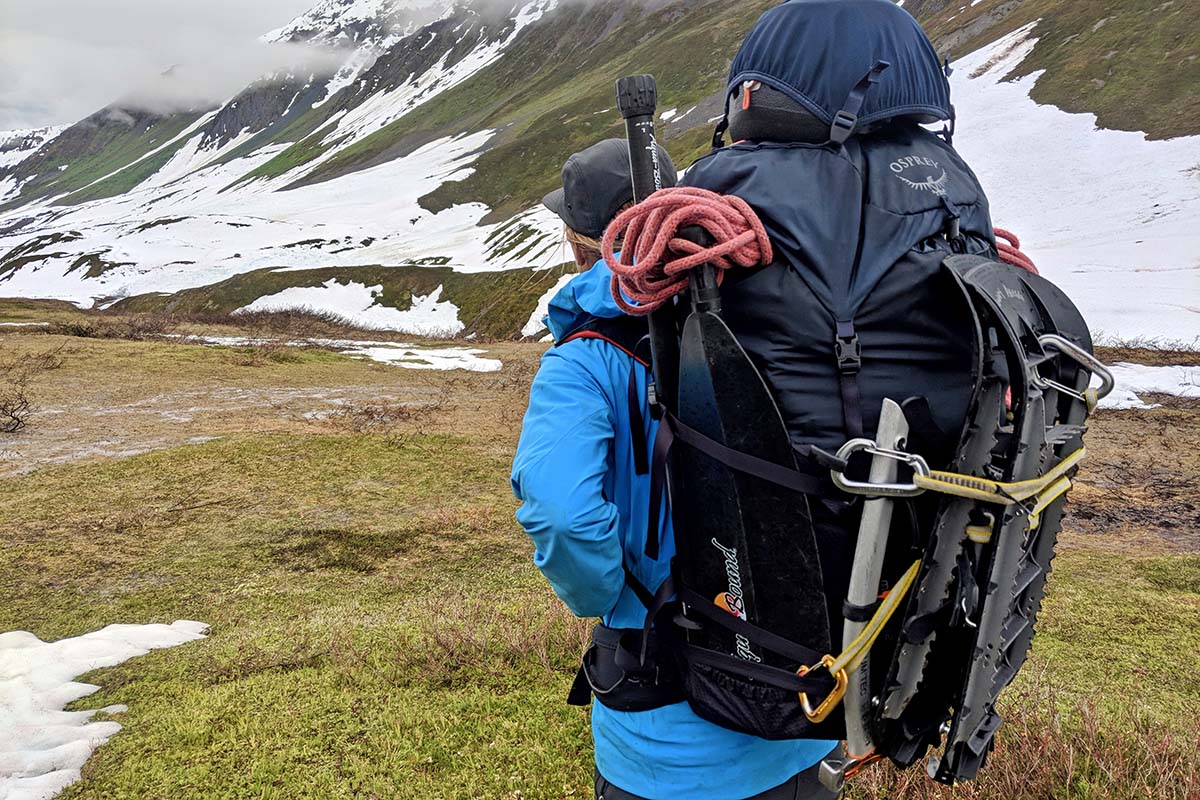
(429, 316)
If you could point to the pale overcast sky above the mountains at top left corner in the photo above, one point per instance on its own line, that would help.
(62, 61)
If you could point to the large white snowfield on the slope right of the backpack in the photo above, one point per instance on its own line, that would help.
(1111, 216)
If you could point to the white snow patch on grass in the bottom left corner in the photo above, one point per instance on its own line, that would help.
(44, 748)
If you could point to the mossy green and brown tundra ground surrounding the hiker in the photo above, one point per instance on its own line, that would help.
(377, 628)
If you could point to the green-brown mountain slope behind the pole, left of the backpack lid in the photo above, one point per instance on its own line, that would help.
(550, 93)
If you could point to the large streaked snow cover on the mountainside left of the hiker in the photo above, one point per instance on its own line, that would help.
(199, 220)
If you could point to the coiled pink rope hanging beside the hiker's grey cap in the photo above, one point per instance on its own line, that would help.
(656, 261)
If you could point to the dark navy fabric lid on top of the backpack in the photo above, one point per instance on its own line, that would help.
(819, 52)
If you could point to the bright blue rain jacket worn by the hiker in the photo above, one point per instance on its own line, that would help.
(585, 509)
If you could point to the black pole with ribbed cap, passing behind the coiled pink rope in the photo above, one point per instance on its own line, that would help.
(638, 100)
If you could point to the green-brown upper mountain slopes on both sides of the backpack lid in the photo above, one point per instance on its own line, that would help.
(1133, 63)
